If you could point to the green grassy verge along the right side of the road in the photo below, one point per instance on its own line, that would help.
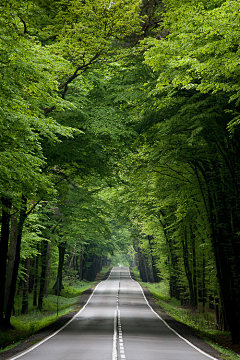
(202, 322)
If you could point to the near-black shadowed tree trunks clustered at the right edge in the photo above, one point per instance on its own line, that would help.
(225, 243)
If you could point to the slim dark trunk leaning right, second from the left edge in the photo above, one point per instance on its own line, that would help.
(23, 215)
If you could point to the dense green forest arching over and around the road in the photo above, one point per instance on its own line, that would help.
(120, 134)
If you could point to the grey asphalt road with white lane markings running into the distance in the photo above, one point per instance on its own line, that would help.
(116, 324)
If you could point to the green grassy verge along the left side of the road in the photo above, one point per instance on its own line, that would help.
(26, 325)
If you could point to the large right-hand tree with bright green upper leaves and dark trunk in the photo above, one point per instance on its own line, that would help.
(189, 62)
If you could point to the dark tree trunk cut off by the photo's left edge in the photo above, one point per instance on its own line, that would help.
(6, 208)
